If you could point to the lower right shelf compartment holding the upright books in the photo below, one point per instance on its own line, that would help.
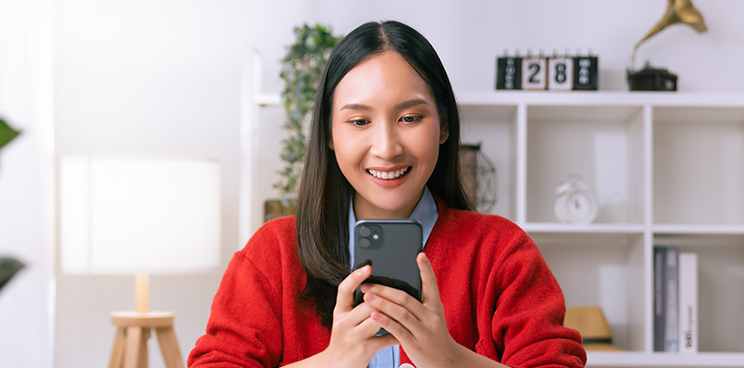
(720, 286)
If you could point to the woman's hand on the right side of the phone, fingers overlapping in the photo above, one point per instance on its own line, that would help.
(419, 327)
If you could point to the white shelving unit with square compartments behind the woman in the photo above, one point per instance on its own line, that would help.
(667, 168)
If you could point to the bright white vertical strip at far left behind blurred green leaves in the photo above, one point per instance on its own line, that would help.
(26, 187)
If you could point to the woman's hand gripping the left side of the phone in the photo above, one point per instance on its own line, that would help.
(353, 340)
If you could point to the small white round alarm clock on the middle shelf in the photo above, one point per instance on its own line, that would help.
(575, 203)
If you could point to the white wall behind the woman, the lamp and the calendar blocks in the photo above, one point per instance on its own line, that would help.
(163, 77)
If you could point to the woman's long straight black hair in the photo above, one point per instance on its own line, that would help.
(324, 193)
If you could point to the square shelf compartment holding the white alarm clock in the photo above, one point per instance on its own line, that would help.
(602, 144)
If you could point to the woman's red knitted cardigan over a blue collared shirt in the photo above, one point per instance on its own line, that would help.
(500, 299)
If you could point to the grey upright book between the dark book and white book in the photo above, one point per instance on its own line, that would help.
(671, 282)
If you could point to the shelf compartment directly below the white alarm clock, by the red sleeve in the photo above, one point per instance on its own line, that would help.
(604, 269)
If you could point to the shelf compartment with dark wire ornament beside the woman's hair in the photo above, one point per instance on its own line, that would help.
(495, 128)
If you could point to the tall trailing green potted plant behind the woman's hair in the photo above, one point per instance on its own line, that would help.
(302, 68)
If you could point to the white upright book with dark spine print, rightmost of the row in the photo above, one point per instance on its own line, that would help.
(688, 295)
